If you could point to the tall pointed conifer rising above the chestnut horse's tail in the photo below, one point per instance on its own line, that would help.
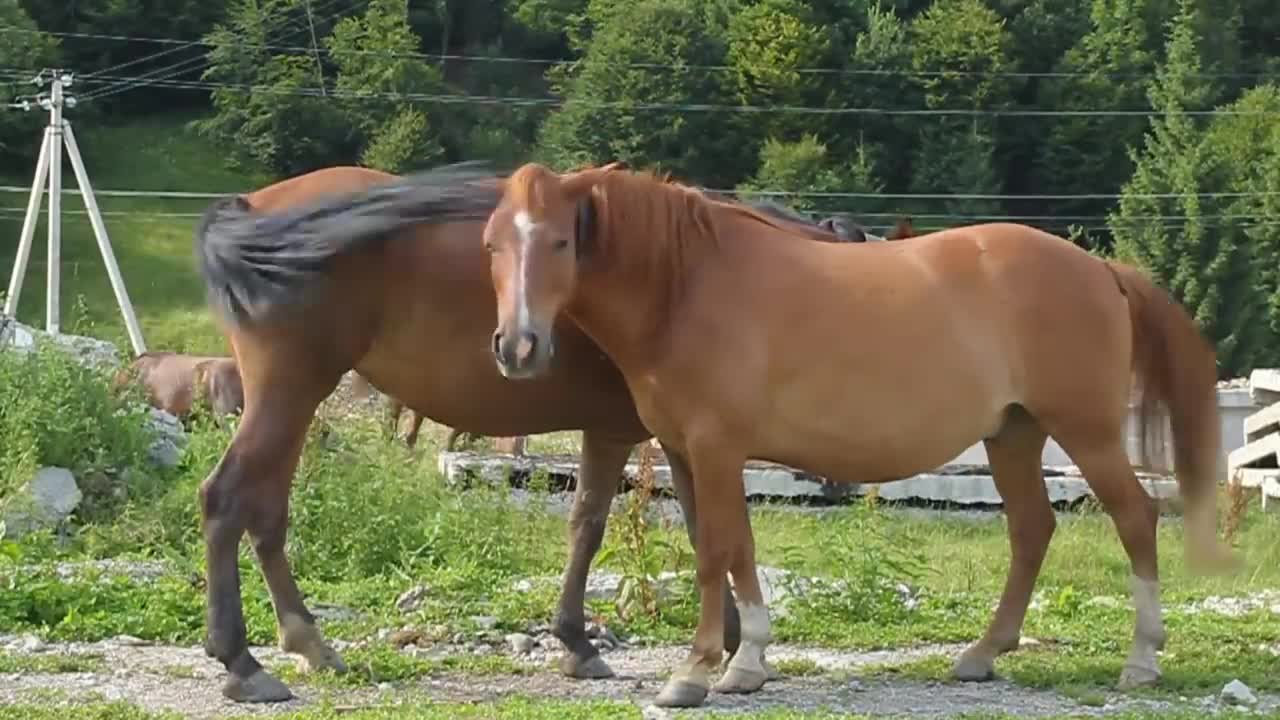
(1208, 271)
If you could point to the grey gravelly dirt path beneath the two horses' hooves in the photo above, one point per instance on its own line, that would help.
(182, 680)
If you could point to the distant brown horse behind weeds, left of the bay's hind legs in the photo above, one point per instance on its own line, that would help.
(176, 382)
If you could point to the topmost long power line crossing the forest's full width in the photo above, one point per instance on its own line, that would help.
(856, 72)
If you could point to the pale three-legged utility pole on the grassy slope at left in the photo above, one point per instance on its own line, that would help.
(49, 167)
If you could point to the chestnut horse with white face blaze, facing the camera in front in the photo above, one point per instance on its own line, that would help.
(871, 362)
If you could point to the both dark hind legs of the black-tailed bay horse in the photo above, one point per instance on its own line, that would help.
(249, 491)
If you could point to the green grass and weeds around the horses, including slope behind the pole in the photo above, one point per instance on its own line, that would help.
(470, 549)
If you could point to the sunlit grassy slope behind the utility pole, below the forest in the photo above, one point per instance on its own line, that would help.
(152, 238)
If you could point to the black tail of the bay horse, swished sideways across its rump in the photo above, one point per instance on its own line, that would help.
(255, 263)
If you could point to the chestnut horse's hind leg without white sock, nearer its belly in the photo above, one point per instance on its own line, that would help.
(1016, 464)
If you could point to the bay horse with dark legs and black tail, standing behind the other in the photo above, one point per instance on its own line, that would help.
(350, 268)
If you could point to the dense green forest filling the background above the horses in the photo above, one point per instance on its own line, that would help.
(844, 98)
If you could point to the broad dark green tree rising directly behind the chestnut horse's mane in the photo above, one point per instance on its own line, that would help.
(605, 116)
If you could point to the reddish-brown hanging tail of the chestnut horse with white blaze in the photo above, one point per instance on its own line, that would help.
(1177, 368)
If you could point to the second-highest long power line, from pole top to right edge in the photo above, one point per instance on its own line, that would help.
(455, 99)
